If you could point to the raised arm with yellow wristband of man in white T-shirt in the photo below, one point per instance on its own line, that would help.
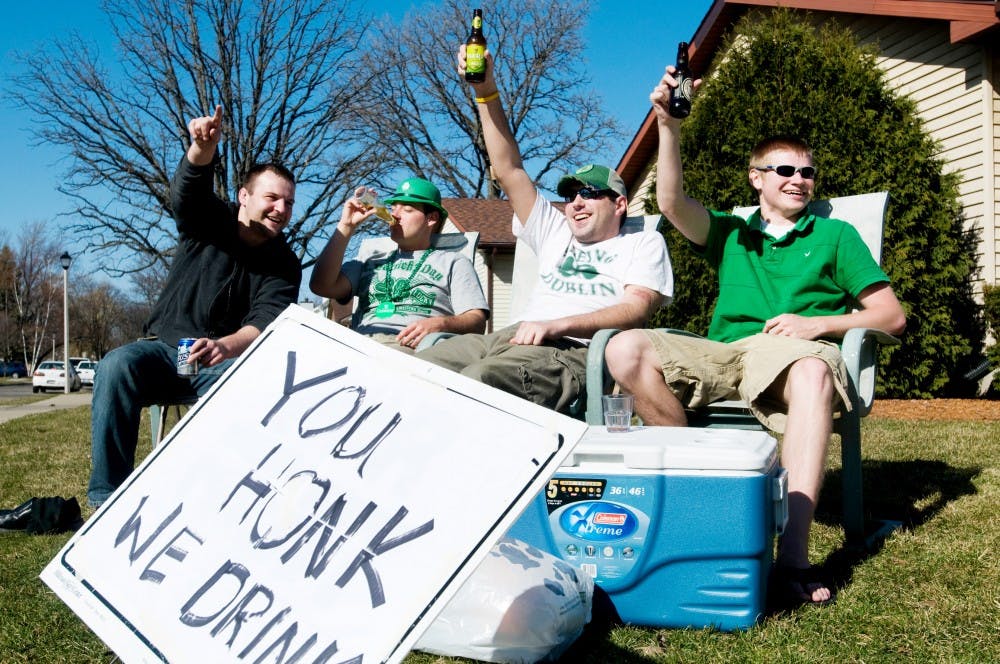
(505, 156)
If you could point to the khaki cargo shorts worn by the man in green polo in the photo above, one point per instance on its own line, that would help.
(700, 371)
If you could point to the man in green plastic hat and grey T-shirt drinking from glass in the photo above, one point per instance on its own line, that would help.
(412, 291)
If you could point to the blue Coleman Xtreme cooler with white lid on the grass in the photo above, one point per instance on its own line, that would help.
(676, 525)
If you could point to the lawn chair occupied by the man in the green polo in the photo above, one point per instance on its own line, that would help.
(866, 212)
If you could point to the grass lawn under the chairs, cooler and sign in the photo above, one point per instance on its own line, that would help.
(928, 593)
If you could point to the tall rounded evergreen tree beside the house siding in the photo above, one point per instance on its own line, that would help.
(779, 74)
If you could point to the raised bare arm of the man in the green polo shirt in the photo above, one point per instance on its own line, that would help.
(688, 215)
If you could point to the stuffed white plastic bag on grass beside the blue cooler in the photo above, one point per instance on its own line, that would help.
(521, 605)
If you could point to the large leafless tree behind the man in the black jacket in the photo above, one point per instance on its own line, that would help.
(286, 72)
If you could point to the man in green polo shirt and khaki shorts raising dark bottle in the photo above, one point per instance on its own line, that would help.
(789, 282)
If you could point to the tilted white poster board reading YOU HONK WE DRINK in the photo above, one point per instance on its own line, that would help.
(320, 504)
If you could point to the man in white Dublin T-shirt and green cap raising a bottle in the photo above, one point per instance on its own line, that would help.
(591, 274)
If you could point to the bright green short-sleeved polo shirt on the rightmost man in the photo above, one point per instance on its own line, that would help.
(817, 269)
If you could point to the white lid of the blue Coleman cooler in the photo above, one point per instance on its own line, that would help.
(677, 448)
